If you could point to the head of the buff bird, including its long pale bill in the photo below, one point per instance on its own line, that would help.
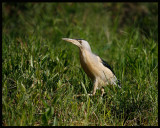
(82, 44)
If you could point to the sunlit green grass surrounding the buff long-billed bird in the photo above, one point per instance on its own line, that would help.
(41, 73)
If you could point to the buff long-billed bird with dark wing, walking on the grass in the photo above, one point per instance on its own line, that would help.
(98, 70)
